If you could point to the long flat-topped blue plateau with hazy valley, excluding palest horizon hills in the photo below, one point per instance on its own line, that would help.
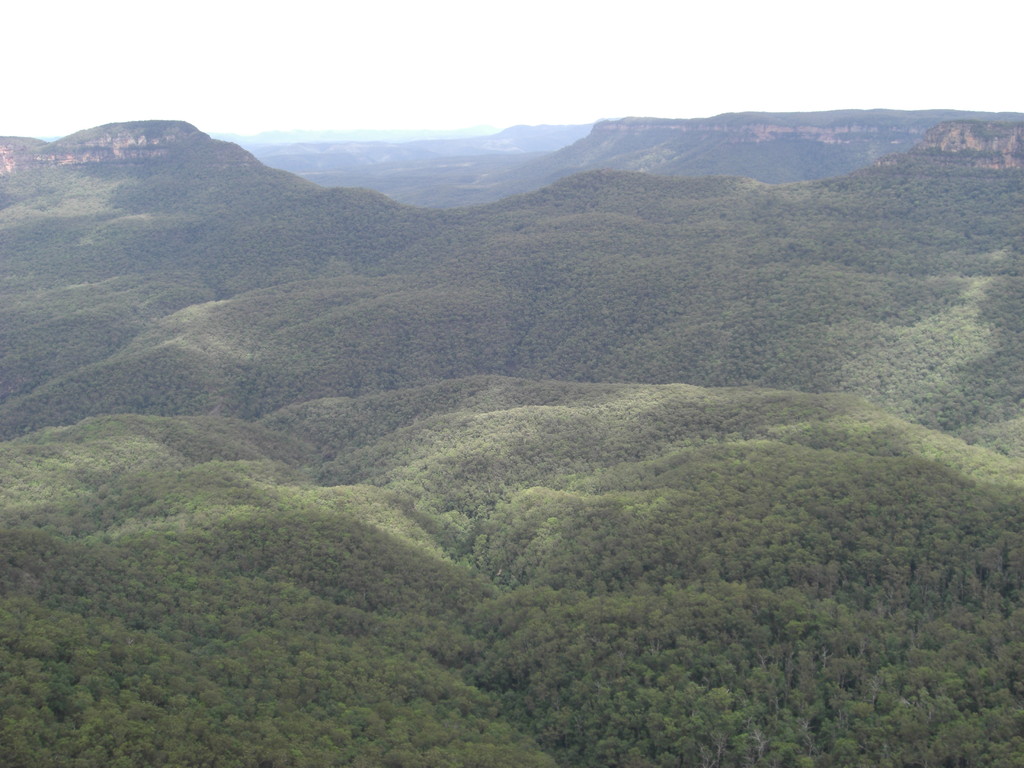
(775, 148)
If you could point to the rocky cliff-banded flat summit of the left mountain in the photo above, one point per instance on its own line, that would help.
(115, 144)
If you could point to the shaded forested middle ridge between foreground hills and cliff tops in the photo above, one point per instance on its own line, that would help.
(184, 286)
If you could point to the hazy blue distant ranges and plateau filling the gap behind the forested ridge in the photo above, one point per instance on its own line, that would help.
(769, 147)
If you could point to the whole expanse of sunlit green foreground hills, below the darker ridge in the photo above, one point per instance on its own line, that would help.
(514, 573)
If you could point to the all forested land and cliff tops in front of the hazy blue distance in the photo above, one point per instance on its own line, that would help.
(630, 471)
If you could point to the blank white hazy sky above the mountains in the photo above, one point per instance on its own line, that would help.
(237, 68)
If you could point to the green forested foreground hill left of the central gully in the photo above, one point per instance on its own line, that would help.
(211, 614)
